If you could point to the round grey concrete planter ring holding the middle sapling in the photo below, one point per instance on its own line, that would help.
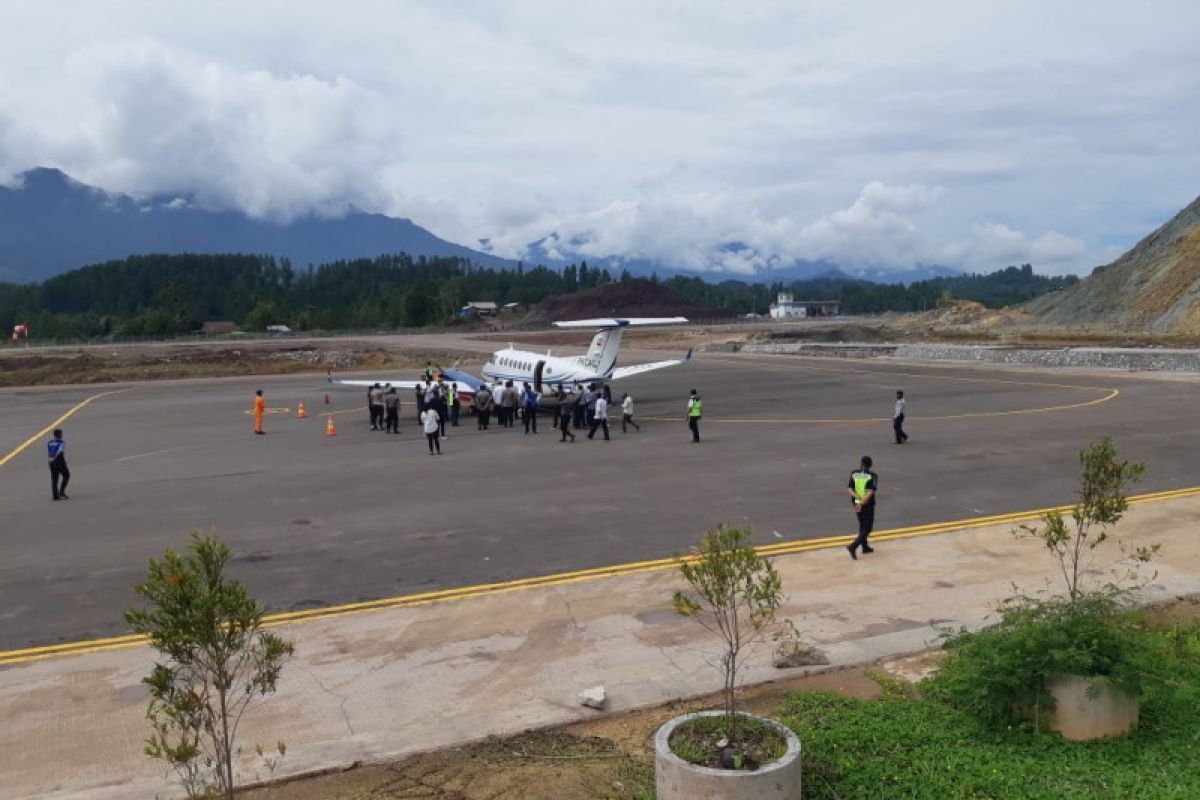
(677, 780)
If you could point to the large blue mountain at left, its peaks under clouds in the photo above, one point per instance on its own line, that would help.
(51, 224)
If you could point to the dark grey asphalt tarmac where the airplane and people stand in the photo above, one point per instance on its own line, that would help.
(316, 521)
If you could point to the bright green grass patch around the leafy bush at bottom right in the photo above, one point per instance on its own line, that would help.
(919, 748)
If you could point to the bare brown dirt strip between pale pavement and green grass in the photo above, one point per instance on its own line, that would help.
(609, 757)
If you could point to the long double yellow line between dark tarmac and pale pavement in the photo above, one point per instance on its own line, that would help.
(28, 655)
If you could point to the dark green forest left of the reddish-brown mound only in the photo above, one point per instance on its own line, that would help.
(164, 296)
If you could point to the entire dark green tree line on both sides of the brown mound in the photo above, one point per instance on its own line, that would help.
(165, 296)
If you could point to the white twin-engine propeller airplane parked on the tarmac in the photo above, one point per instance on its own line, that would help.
(549, 372)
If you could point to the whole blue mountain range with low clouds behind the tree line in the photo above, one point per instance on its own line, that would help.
(51, 224)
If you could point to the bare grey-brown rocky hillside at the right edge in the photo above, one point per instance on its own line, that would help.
(1155, 287)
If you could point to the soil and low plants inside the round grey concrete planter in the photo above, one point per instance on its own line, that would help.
(700, 742)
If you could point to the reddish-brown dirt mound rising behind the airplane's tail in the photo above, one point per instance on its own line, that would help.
(626, 299)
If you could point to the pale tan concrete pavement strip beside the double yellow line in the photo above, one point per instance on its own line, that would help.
(385, 684)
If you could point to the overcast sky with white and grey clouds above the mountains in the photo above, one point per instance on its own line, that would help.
(872, 134)
